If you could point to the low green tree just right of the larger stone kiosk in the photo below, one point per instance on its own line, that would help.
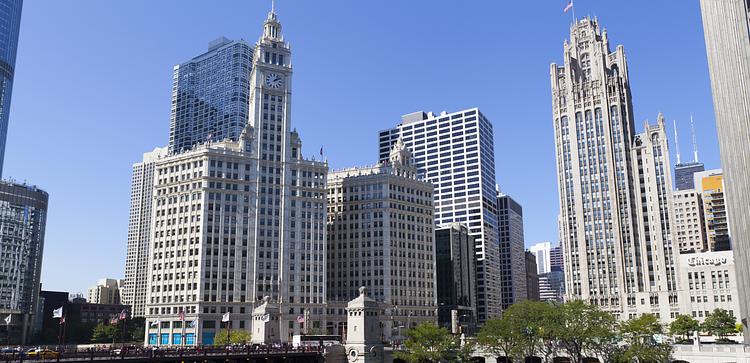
(428, 343)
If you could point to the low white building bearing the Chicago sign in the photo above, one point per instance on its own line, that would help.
(708, 282)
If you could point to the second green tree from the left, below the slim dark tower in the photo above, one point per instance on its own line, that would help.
(499, 338)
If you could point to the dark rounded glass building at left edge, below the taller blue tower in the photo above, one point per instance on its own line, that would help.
(23, 211)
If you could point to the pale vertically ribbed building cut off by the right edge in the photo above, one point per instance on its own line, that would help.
(725, 26)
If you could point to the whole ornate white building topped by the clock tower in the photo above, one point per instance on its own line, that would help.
(235, 221)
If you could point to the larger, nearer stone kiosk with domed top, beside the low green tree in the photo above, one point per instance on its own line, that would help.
(363, 330)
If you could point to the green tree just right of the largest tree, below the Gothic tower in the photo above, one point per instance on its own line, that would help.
(638, 334)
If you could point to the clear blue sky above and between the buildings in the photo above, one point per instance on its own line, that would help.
(93, 82)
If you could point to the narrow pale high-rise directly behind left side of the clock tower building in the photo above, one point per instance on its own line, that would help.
(135, 285)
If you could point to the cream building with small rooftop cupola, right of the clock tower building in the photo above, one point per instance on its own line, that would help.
(381, 236)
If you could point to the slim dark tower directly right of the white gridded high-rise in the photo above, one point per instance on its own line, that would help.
(513, 281)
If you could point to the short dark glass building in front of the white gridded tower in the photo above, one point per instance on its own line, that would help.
(456, 277)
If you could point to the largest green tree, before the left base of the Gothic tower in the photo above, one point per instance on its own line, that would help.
(585, 329)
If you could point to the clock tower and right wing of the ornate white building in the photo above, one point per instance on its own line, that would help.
(287, 232)
